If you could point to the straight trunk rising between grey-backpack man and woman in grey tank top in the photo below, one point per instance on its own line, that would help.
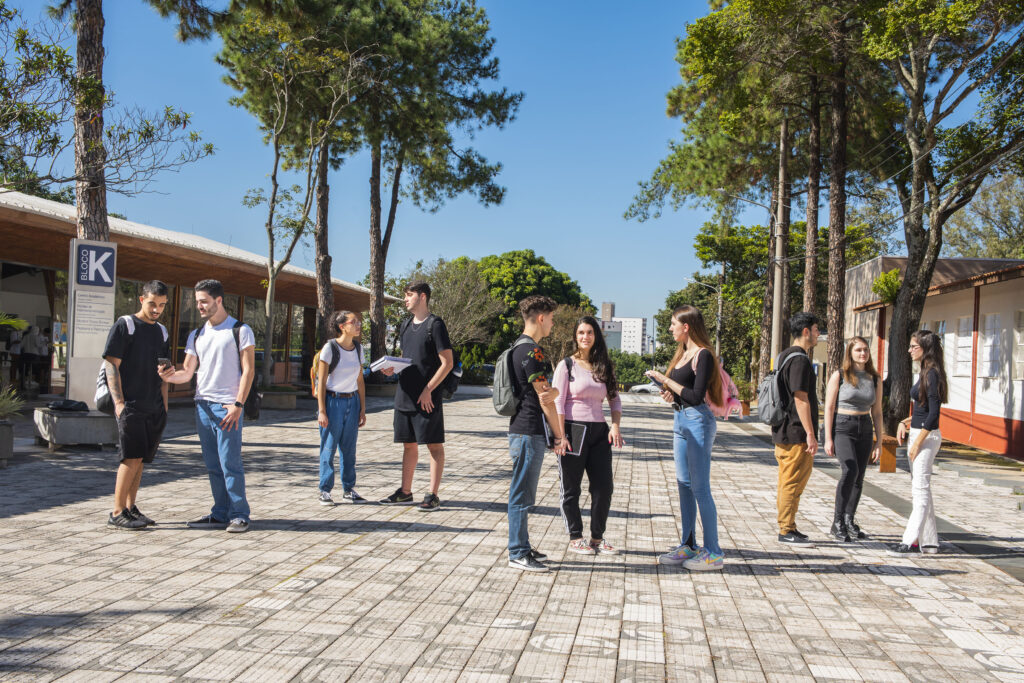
(837, 207)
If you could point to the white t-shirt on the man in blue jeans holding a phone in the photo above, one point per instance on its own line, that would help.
(220, 366)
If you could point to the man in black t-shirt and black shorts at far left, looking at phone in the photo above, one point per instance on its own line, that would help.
(132, 358)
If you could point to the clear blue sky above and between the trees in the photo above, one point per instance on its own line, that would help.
(591, 126)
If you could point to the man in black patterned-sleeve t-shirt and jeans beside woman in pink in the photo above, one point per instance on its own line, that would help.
(532, 379)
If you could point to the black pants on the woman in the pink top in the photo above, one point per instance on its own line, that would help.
(595, 460)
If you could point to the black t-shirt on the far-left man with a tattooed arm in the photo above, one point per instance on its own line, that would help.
(139, 353)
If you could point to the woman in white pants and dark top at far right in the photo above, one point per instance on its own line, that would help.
(924, 440)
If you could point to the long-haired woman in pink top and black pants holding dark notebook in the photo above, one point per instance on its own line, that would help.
(584, 380)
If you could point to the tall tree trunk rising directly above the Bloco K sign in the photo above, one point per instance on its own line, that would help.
(91, 155)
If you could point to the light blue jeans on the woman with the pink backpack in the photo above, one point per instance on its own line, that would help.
(694, 435)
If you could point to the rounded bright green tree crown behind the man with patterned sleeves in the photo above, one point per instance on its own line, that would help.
(515, 276)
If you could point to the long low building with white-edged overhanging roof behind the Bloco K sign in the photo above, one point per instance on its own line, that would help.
(35, 241)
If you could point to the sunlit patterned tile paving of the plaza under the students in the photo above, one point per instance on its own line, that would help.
(370, 592)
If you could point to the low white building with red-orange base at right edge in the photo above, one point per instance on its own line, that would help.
(977, 308)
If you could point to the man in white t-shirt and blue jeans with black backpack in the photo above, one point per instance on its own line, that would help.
(224, 359)
